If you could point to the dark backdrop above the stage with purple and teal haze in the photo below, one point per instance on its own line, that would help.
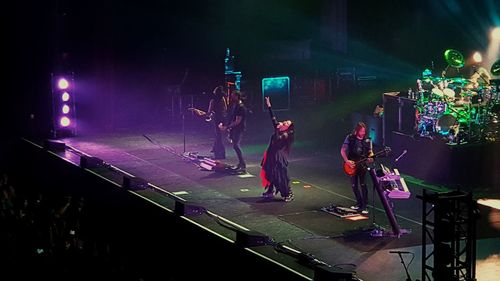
(135, 54)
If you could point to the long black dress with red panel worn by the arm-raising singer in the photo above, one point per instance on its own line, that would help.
(274, 172)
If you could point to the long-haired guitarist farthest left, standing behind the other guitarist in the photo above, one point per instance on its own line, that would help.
(217, 108)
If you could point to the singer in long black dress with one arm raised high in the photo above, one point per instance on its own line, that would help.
(274, 172)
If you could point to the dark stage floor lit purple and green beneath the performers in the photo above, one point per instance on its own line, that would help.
(317, 181)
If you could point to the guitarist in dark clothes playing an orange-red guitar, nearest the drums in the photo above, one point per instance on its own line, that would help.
(356, 147)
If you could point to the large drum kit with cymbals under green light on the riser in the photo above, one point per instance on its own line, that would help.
(458, 109)
